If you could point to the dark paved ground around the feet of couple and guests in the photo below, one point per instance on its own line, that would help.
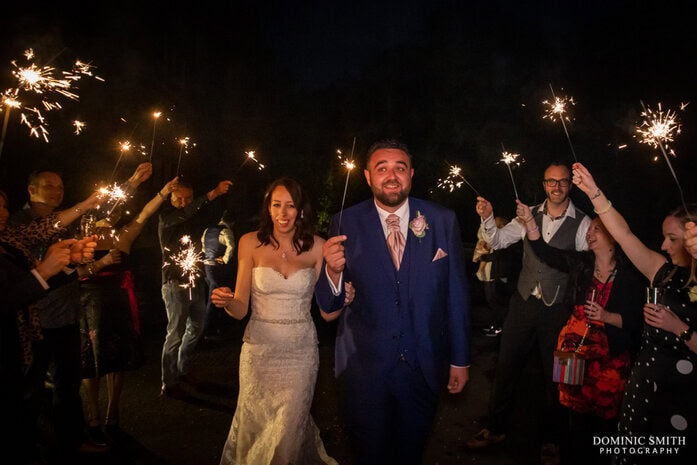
(164, 431)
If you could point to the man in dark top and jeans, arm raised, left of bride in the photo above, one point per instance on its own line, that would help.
(184, 296)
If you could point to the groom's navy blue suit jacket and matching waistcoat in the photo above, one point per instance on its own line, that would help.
(420, 313)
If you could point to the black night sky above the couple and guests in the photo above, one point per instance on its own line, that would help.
(454, 79)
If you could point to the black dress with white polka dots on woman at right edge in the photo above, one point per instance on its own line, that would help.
(660, 395)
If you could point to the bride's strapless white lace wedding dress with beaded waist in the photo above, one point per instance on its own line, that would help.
(278, 369)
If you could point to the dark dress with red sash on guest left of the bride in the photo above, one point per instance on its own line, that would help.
(109, 324)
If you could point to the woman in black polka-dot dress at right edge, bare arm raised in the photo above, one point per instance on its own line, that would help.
(657, 401)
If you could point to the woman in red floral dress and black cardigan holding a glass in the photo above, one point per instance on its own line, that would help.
(605, 290)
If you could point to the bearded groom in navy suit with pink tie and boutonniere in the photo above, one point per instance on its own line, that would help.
(405, 337)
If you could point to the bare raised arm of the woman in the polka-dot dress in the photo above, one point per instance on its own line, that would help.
(647, 261)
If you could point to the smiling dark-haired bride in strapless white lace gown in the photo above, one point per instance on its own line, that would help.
(278, 266)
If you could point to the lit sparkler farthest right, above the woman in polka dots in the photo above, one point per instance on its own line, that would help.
(658, 129)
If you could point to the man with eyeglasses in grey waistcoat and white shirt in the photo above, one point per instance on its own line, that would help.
(536, 311)
